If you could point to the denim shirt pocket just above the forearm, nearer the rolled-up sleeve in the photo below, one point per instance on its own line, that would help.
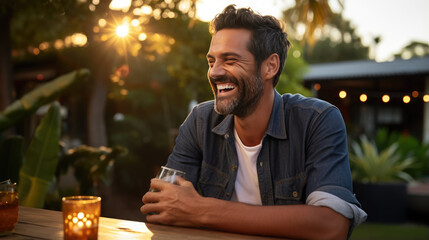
(290, 190)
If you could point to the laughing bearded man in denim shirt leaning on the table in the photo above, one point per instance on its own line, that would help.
(257, 162)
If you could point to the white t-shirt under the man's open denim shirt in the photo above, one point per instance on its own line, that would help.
(246, 183)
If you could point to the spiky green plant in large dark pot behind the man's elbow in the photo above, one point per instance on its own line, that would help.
(380, 180)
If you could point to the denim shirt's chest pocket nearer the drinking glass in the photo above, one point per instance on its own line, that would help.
(212, 181)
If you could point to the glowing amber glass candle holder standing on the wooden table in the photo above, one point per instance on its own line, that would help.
(81, 216)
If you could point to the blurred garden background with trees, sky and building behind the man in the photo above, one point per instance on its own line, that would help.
(124, 74)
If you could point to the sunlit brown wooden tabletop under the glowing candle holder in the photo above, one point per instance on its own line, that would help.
(34, 223)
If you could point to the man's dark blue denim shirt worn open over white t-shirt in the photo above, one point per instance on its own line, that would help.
(304, 150)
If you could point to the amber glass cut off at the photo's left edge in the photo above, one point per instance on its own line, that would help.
(8, 207)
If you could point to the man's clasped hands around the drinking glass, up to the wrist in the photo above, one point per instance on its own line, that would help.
(173, 204)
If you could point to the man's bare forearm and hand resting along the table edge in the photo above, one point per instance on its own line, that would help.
(181, 205)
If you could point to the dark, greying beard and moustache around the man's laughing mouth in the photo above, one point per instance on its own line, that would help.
(244, 102)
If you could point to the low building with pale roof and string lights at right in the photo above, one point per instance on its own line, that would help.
(373, 95)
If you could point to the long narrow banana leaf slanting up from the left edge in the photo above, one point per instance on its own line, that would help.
(40, 96)
